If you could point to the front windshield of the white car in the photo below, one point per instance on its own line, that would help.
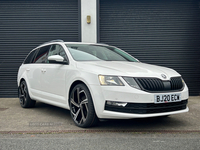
(86, 52)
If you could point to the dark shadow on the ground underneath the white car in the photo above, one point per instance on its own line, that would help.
(145, 124)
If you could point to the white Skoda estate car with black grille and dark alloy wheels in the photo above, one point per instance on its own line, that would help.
(98, 81)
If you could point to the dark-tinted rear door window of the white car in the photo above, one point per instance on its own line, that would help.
(42, 54)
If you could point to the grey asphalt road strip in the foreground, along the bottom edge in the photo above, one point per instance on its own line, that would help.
(101, 141)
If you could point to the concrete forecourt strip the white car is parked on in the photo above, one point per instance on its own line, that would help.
(44, 118)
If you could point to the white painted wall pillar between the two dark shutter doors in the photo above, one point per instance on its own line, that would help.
(88, 31)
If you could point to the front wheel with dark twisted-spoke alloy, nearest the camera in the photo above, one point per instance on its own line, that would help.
(81, 107)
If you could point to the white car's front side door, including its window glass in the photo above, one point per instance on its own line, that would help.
(53, 76)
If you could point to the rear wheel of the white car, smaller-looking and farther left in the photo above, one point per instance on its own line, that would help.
(24, 98)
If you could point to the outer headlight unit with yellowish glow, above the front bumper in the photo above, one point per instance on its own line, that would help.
(110, 80)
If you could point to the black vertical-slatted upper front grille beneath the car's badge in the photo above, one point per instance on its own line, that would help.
(156, 85)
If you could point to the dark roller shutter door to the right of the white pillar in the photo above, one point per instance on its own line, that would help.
(159, 32)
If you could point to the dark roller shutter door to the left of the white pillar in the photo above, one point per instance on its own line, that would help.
(24, 24)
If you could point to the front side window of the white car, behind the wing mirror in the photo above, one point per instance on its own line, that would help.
(57, 50)
